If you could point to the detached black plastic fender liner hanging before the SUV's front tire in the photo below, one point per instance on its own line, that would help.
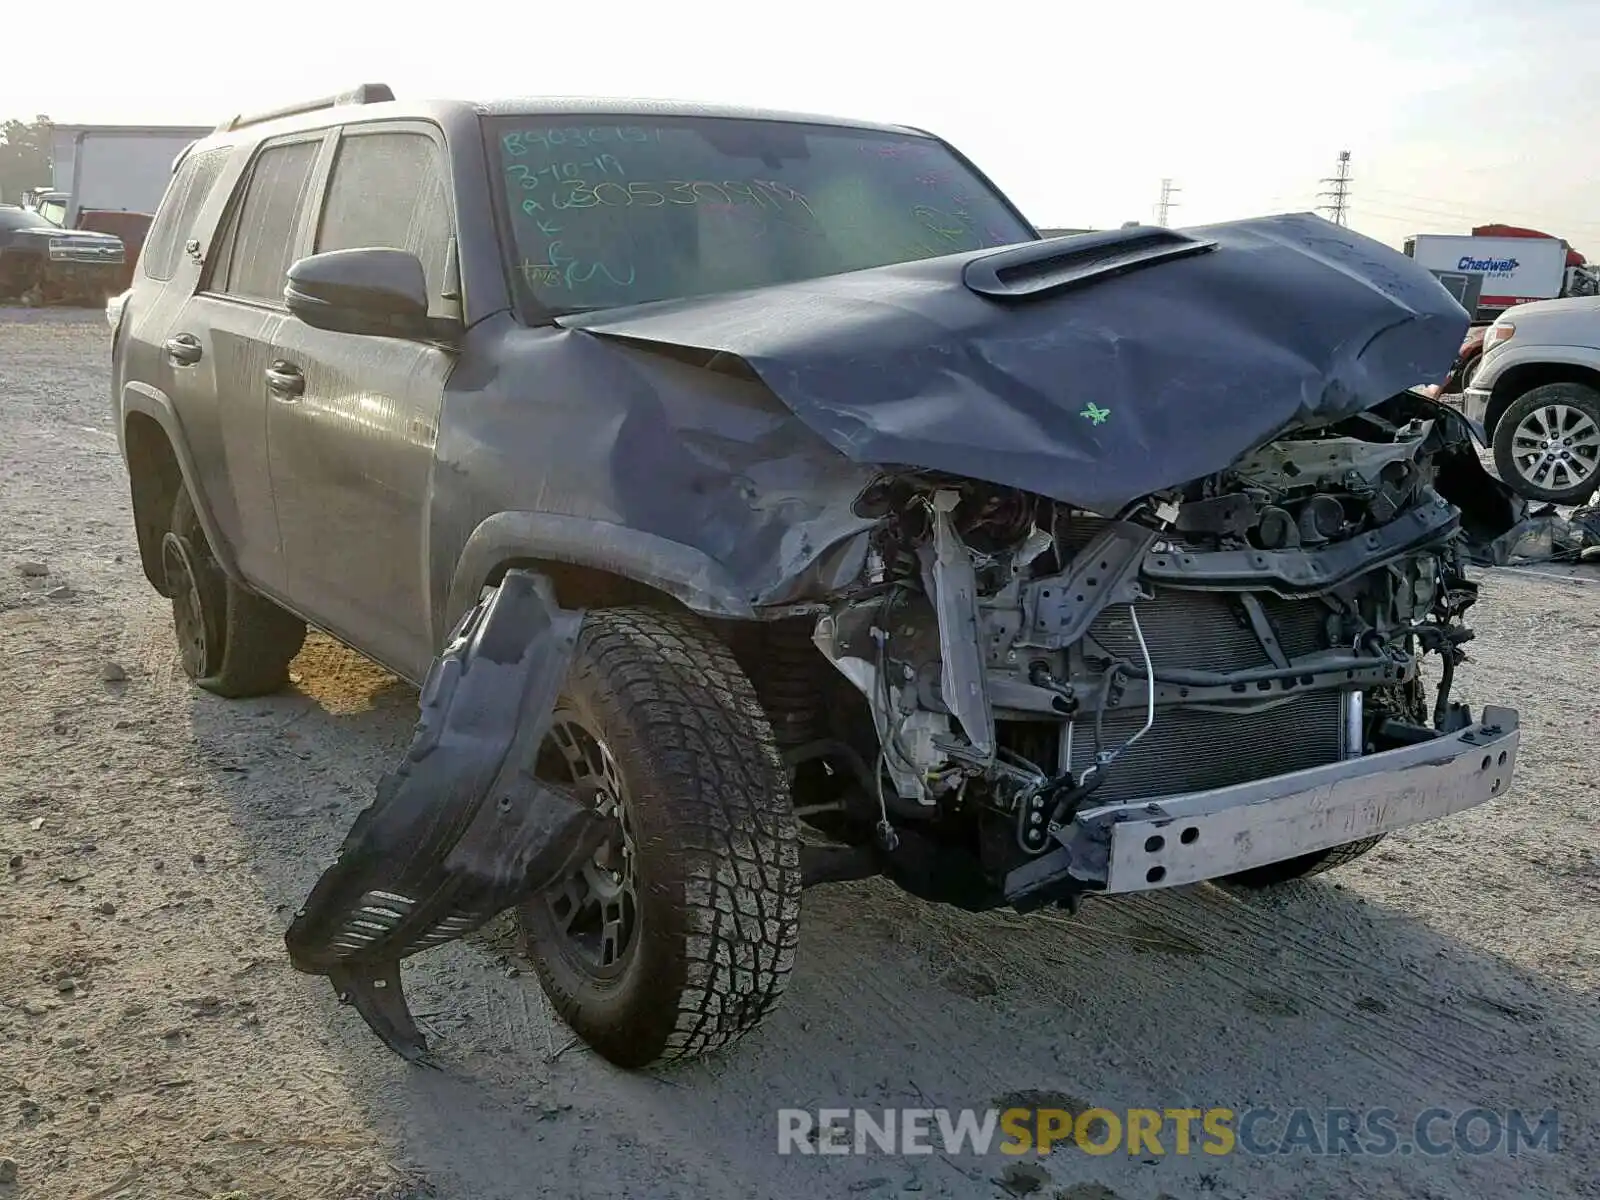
(462, 830)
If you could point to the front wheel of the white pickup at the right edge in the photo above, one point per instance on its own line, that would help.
(1548, 444)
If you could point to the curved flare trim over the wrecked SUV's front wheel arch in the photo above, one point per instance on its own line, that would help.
(682, 572)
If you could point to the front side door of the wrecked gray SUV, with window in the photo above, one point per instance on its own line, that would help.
(353, 420)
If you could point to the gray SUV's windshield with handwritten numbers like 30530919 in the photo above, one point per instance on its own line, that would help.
(617, 214)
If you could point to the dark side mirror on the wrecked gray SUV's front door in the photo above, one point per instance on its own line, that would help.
(374, 292)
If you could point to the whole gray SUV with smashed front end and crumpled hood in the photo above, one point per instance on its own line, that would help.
(724, 473)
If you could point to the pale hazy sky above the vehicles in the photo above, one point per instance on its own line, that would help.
(1457, 113)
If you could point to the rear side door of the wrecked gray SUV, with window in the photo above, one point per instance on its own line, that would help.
(217, 343)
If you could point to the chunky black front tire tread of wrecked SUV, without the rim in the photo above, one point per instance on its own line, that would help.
(718, 846)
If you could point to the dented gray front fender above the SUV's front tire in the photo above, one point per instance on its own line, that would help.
(562, 447)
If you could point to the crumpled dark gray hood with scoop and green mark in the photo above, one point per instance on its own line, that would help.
(1092, 380)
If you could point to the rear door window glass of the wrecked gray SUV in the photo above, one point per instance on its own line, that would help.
(262, 249)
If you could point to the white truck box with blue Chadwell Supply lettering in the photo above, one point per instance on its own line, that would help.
(1490, 274)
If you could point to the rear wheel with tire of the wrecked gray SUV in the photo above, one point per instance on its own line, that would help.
(231, 641)
